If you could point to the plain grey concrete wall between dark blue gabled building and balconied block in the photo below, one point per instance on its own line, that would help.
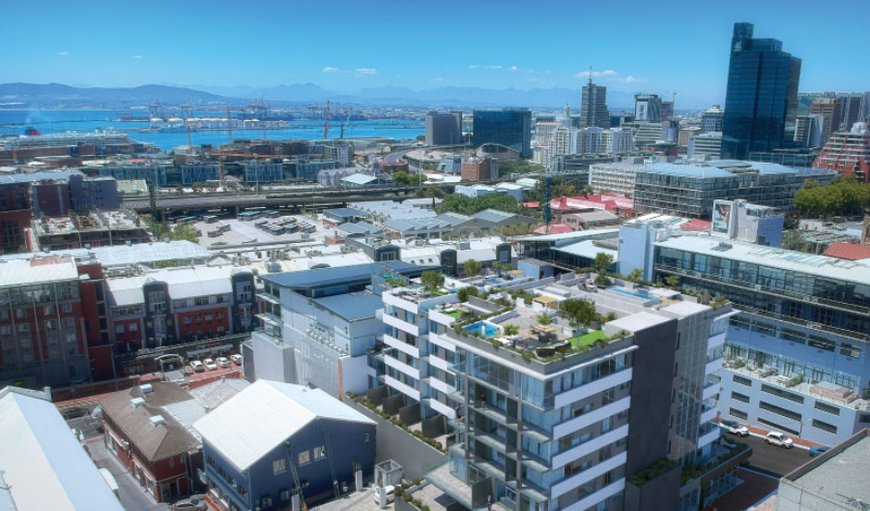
(416, 457)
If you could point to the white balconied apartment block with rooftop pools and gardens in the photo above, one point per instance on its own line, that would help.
(538, 420)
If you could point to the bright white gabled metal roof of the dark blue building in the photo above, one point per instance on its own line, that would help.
(264, 415)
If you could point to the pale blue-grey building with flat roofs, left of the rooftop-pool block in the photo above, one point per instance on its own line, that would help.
(318, 325)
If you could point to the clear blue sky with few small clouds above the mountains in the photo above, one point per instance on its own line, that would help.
(349, 45)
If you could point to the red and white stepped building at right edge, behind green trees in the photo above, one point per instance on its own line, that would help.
(848, 153)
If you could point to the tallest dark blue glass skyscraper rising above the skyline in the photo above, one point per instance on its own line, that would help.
(761, 96)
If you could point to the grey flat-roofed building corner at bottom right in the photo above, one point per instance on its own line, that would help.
(834, 481)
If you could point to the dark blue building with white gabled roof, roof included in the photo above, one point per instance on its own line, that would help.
(278, 445)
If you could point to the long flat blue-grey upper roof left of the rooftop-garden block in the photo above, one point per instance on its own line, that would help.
(324, 277)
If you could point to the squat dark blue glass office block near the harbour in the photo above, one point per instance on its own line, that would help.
(510, 127)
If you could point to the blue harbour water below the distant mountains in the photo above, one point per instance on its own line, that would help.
(14, 122)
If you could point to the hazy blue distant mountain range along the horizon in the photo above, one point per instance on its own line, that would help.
(59, 95)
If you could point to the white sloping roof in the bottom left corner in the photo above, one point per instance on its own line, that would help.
(42, 463)
